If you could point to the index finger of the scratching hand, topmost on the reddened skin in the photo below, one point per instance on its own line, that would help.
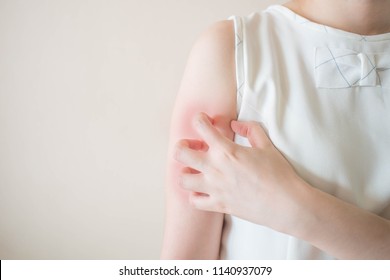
(208, 132)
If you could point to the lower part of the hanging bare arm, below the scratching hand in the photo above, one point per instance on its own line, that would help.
(189, 233)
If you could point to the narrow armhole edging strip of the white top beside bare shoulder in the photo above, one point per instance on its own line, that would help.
(239, 59)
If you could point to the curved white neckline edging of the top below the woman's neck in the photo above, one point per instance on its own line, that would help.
(328, 29)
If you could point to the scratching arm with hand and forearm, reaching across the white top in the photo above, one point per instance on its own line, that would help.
(259, 185)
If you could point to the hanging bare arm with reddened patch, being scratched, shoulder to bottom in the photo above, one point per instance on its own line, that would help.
(208, 85)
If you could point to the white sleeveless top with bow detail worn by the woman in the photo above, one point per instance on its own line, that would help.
(323, 94)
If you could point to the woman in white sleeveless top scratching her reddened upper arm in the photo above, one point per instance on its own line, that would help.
(312, 181)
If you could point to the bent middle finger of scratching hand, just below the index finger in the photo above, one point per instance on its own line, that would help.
(189, 157)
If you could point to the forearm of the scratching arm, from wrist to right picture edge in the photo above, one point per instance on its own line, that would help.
(339, 228)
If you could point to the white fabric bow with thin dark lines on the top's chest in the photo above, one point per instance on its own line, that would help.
(342, 68)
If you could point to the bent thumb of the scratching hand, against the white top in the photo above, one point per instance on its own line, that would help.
(253, 131)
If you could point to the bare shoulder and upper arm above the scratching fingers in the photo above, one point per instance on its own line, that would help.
(209, 80)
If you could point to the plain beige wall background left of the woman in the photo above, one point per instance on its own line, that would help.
(86, 92)
